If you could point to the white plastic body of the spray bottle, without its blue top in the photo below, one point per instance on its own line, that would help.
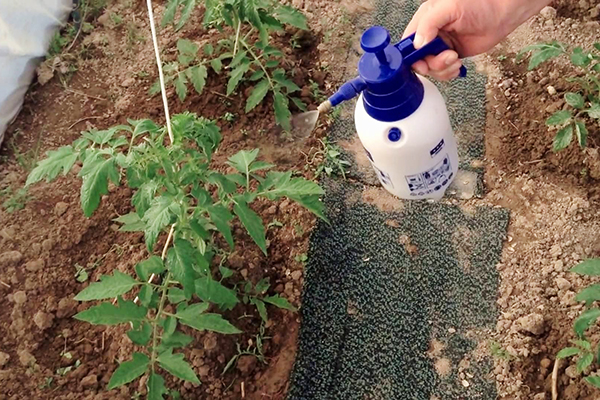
(424, 161)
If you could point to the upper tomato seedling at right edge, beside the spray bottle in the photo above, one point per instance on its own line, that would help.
(583, 105)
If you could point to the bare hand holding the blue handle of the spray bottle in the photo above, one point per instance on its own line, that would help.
(470, 27)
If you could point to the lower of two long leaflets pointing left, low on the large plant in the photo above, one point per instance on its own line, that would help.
(108, 314)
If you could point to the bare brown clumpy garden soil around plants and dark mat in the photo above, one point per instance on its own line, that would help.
(554, 214)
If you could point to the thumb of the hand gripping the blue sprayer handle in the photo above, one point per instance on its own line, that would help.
(432, 17)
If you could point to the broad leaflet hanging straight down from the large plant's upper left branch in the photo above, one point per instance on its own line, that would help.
(95, 173)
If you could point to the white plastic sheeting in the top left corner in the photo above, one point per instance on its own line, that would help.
(26, 29)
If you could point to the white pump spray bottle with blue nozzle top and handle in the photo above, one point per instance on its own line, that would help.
(401, 117)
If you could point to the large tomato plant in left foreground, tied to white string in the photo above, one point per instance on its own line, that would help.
(177, 192)
